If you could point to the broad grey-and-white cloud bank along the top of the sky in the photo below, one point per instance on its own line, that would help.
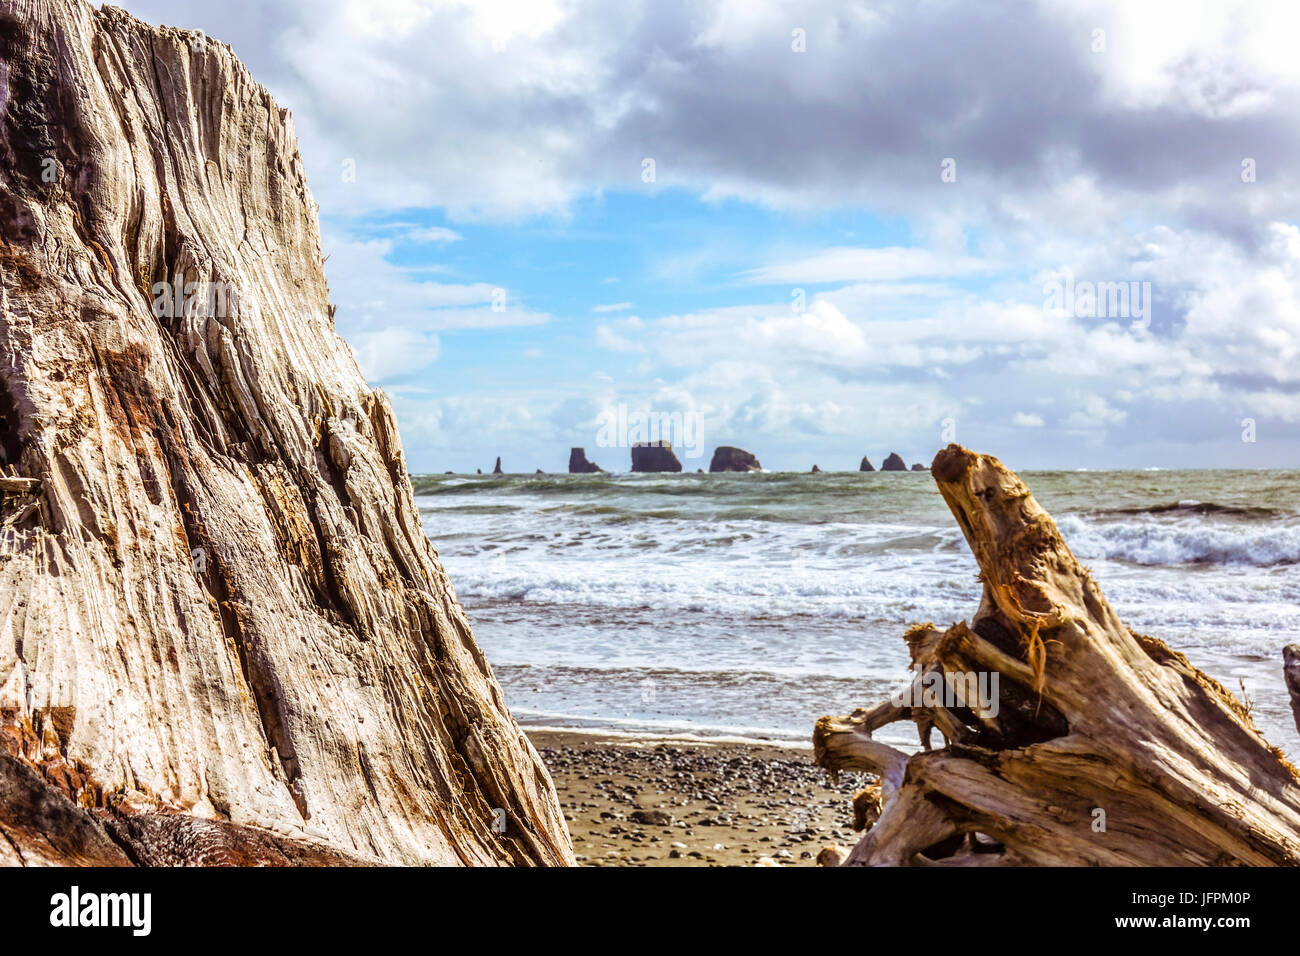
(527, 106)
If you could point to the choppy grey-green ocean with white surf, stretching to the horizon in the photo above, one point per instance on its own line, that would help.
(746, 607)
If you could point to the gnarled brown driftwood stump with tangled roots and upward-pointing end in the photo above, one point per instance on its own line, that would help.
(1099, 746)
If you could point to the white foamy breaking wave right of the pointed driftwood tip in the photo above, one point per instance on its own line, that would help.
(1182, 543)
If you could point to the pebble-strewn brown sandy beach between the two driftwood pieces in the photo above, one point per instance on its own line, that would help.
(687, 803)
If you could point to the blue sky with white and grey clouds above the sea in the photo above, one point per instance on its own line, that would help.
(1061, 233)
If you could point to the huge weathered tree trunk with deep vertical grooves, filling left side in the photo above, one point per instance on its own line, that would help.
(224, 635)
